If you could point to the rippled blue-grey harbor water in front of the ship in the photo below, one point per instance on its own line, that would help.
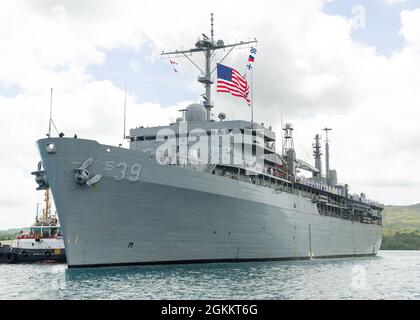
(390, 275)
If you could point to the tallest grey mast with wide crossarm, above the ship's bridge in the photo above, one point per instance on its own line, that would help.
(208, 46)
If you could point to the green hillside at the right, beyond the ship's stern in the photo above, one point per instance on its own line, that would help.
(401, 228)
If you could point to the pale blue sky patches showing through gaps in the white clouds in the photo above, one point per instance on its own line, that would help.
(146, 77)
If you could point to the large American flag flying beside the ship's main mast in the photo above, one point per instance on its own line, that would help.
(231, 81)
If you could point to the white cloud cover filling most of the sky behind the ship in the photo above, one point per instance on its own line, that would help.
(307, 68)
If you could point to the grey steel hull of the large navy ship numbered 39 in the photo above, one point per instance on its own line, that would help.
(178, 215)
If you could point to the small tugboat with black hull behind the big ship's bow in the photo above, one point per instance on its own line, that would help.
(42, 242)
